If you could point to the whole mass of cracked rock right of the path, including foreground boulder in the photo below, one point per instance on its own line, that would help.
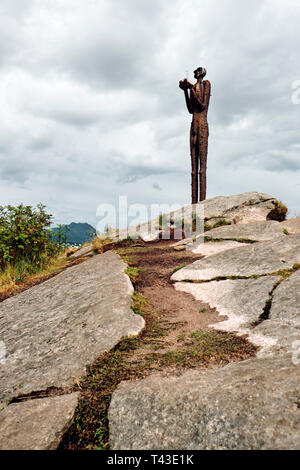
(253, 404)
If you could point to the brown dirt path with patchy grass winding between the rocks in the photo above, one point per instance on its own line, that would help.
(177, 336)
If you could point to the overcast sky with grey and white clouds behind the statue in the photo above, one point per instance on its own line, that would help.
(91, 108)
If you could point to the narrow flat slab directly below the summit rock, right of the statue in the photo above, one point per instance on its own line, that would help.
(260, 231)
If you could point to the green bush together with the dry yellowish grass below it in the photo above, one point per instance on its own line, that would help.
(27, 248)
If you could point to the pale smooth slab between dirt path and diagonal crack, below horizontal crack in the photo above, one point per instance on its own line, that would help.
(243, 301)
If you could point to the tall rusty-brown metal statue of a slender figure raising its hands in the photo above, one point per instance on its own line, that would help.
(197, 102)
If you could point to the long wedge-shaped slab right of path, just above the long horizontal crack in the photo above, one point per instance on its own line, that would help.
(254, 259)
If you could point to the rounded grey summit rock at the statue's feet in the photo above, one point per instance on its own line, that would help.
(240, 208)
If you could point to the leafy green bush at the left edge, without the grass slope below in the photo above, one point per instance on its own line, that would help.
(24, 235)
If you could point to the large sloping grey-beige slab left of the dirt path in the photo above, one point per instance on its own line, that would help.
(52, 331)
